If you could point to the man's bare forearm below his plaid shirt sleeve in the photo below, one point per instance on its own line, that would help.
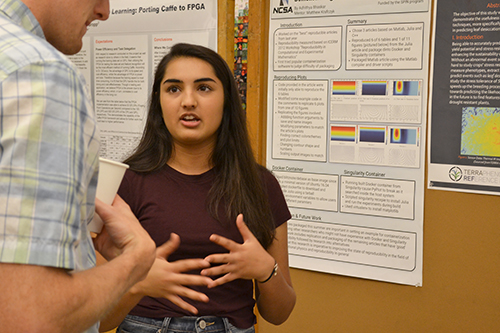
(45, 299)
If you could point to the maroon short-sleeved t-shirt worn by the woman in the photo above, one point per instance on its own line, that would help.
(168, 201)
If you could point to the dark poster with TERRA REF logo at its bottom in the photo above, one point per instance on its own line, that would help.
(464, 121)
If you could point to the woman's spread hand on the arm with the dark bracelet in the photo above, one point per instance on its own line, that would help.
(244, 261)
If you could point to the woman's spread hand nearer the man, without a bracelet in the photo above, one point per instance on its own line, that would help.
(167, 279)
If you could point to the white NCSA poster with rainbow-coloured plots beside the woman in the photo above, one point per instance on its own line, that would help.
(347, 106)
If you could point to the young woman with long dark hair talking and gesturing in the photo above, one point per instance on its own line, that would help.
(218, 218)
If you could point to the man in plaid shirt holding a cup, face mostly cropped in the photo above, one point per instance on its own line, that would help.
(49, 151)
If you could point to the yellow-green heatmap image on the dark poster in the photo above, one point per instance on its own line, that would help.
(480, 131)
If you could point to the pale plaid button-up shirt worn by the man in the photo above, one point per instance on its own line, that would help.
(49, 148)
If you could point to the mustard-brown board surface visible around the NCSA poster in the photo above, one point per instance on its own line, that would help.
(461, 261)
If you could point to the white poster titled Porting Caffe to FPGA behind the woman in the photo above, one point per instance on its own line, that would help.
(119, 57)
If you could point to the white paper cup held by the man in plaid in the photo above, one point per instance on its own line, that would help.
(109, 180)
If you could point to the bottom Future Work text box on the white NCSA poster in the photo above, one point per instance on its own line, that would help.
(355, 245)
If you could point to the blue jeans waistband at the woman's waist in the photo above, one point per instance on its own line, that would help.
(209, 324)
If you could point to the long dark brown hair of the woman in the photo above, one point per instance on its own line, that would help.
(238, 181)
